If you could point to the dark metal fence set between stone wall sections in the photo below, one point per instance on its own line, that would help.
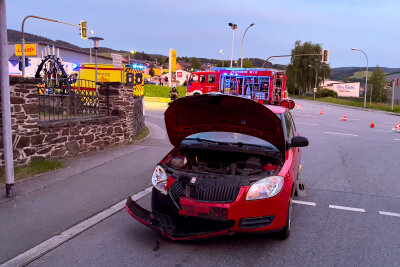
(67, 98)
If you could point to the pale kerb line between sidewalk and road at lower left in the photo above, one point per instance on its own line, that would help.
(57, 240)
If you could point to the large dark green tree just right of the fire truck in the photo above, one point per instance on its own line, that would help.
(301, 77)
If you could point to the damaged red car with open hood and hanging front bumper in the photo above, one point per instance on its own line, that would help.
(233, 168)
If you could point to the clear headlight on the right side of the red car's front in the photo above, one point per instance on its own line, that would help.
(265, 188)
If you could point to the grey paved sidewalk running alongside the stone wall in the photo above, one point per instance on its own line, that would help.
(50, 203)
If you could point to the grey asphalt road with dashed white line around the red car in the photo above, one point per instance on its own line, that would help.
(349, 218)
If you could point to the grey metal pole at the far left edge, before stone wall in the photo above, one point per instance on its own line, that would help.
(5, 102)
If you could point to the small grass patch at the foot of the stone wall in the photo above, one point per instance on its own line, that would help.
(34, 168)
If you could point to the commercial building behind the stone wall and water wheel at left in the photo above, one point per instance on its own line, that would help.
(70, 58)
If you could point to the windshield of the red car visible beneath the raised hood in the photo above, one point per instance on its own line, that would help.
(230, 138)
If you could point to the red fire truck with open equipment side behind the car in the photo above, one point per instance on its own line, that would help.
(266, 86)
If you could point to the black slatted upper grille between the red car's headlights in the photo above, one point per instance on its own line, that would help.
(215, 194)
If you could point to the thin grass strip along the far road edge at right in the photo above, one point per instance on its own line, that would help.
(356, 103)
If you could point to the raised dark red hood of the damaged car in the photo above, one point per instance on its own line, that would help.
(224, 113)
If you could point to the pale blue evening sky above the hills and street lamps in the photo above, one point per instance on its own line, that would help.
(200, 28)
